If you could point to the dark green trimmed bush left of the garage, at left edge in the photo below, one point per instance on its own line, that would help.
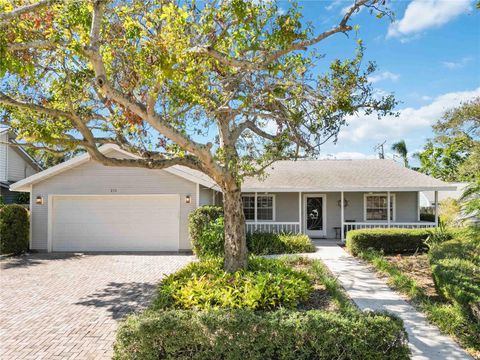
(14, 229)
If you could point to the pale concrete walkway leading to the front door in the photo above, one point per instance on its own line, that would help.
(371, 293)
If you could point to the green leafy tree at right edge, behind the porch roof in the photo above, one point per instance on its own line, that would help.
(454, 153)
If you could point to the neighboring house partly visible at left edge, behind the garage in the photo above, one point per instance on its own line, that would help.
(15, 165)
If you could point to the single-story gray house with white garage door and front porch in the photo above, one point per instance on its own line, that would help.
(81, 205)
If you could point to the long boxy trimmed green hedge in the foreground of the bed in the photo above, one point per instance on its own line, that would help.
(244, 334)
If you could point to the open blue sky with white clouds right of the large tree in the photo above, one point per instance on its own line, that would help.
(429, 57)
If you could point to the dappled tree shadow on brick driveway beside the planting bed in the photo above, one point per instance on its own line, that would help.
(120, 299)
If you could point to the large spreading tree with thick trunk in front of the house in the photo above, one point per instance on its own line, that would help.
(223, 87)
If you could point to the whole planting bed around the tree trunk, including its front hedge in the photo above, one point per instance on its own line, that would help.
(287, 308)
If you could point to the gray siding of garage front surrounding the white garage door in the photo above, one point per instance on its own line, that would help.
(95, 179)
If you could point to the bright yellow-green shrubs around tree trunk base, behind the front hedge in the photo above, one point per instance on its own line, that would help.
(266, 284)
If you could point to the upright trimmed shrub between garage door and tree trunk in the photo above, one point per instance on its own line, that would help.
(200, 228)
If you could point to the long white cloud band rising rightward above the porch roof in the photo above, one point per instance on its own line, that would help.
(410, 120)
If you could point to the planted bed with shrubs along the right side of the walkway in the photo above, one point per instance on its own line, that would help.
(414, 276)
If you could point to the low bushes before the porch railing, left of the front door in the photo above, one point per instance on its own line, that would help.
(270, 243)
